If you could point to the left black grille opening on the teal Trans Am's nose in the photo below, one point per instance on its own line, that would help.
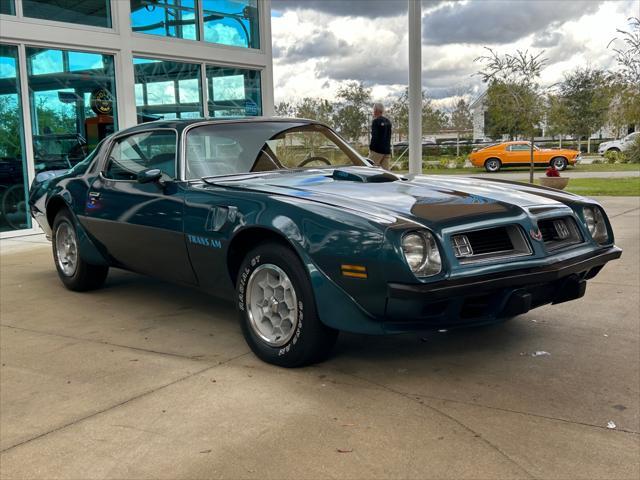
(489, 243)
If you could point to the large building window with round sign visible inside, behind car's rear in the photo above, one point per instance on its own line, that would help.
(73, 107)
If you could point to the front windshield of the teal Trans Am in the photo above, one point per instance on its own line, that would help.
(230, 149)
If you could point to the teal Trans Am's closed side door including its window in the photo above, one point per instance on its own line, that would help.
(141, 224)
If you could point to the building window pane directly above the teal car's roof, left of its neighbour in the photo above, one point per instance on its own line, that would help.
(166, 89)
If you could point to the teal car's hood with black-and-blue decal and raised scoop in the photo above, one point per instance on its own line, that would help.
(430, 199)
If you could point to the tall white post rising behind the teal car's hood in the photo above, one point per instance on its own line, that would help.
(415, 86)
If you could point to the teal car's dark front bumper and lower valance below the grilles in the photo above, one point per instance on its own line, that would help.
(489, 298)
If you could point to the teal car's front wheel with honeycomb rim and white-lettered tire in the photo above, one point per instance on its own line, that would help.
(277, 309)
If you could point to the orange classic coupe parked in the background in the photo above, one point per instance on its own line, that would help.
(515, 154)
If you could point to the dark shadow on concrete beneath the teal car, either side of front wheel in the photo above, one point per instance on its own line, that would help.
(200, 311)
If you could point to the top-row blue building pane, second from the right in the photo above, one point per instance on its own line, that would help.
(169, 18)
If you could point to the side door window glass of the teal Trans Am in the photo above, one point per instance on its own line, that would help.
(141, 151)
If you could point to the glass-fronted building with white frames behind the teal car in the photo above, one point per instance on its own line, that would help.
(73, 71)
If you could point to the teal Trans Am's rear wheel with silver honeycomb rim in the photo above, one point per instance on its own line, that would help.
(75, 273)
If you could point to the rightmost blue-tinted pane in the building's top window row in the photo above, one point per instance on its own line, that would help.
(231, 22)
